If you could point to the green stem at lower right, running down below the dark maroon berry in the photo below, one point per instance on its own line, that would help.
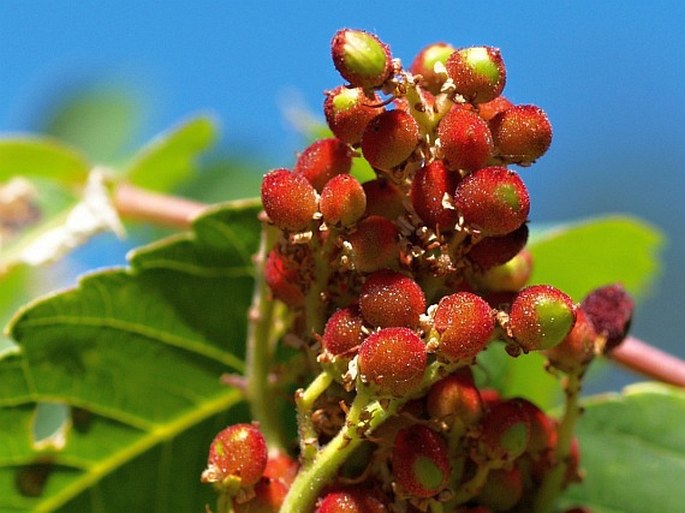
(552, 483)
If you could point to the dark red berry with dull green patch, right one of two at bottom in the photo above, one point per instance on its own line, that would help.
(505, 432)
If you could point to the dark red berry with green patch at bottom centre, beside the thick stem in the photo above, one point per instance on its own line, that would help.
(420, 462)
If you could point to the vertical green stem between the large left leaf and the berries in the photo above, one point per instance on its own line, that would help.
(260, 343)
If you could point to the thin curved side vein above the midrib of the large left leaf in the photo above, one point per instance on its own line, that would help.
(142, 330)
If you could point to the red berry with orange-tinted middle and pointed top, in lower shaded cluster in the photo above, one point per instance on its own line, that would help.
(455, 399)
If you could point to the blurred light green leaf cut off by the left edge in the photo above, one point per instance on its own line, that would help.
(41, 158)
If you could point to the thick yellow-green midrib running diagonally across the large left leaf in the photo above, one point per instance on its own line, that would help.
(159, 435)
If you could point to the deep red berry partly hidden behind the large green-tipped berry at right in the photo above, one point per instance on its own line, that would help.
(431, 185)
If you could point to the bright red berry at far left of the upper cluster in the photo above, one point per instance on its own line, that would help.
(288, 199)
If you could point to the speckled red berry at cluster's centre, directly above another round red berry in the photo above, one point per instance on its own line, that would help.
(391, 299)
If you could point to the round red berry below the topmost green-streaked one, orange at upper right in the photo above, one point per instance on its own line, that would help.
(389, 139)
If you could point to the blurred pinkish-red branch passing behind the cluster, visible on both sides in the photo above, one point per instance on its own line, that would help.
(141, 205)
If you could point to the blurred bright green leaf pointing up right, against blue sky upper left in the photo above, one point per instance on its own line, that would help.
(170, 158)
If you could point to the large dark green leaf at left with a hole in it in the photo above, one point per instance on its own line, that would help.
(137, 353)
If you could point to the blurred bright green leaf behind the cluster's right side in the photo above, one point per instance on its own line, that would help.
(580, 257)
